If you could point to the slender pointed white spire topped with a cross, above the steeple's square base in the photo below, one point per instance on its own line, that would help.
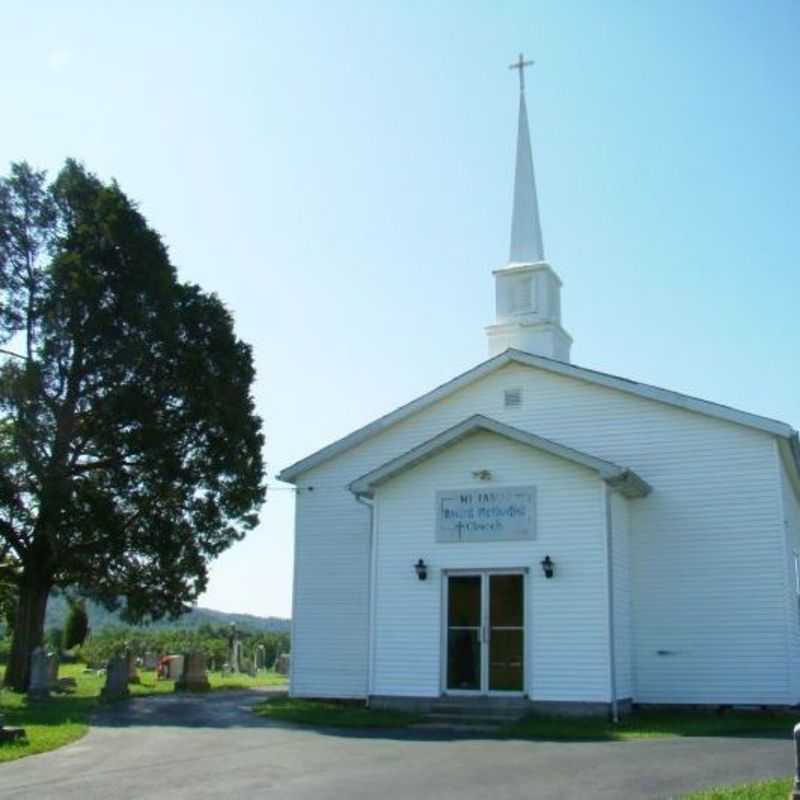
(526, 230)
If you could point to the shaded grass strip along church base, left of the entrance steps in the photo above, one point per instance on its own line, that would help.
(339, 715)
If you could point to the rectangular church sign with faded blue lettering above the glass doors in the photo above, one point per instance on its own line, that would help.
(486, 515)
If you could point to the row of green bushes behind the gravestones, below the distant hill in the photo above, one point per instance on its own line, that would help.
(212, 641)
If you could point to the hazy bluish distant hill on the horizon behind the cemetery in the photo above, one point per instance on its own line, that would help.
(100, 618)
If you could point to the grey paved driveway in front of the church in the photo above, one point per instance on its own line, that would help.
(213, 746)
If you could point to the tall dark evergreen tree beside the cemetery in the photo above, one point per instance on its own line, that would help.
(130, 451)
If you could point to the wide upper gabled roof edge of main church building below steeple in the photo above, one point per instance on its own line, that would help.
(510, 356)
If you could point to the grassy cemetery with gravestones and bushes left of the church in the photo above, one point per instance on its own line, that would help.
(116, 665)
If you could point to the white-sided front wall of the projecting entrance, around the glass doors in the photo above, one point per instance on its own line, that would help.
(567, 644)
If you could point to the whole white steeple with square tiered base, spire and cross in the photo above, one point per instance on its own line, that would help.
(527, 289)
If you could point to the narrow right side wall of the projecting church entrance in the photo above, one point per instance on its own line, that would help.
(621, 573)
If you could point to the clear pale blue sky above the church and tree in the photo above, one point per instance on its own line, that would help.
(341, 175)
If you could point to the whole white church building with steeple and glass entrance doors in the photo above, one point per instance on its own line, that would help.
(537, 530)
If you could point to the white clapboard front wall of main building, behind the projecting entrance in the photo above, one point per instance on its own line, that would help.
(707, 547)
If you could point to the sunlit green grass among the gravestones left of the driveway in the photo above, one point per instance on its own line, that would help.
(65, 717)
